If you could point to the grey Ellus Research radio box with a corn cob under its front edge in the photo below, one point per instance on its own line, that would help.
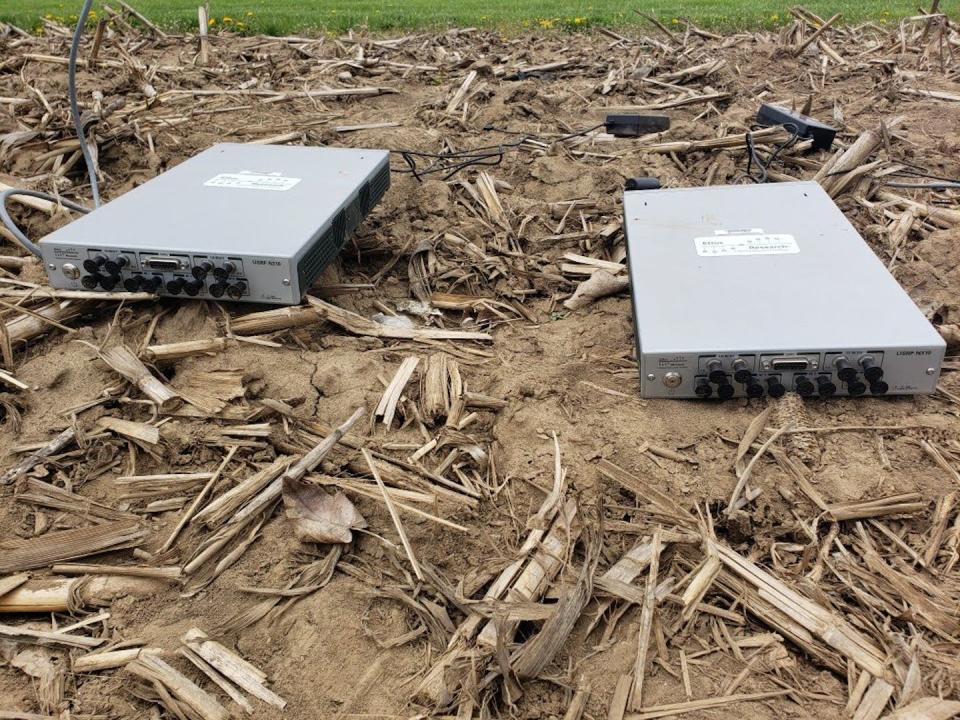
(753, 290)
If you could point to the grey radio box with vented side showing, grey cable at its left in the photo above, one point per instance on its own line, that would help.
(253, 223)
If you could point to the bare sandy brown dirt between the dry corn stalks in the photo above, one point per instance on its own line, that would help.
(569, 373)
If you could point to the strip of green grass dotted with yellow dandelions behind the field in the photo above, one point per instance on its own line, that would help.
(289, 16)
